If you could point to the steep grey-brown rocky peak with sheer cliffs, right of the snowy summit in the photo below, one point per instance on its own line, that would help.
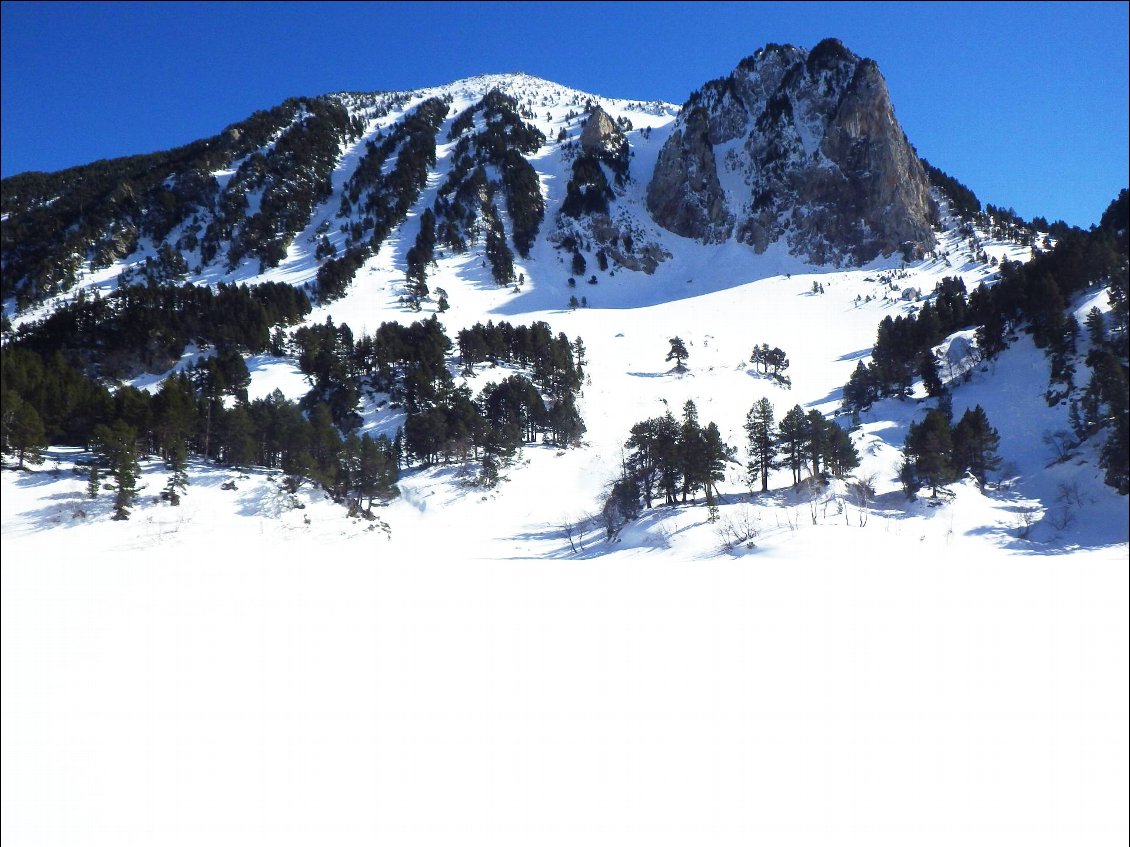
(797, 146)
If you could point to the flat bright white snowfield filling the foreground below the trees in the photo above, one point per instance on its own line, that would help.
(251, 679)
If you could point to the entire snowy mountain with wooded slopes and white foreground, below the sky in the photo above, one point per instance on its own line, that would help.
(295, 652)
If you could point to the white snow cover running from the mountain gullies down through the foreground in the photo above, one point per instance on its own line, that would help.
(484, 667)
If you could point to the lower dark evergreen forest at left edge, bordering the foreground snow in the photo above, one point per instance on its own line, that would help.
(188, 416)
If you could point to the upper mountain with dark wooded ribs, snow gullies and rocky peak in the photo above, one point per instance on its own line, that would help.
(794, 147)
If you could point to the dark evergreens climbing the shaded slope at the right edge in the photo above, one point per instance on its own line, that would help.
(1036, 298)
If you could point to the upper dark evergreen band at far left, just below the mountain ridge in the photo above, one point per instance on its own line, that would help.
(146, 328)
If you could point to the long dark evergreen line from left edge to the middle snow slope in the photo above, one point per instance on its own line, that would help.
(205, 411)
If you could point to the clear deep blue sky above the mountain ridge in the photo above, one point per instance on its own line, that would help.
(1025, 103)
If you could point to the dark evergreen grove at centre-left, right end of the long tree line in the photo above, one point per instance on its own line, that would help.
(446, 423)
